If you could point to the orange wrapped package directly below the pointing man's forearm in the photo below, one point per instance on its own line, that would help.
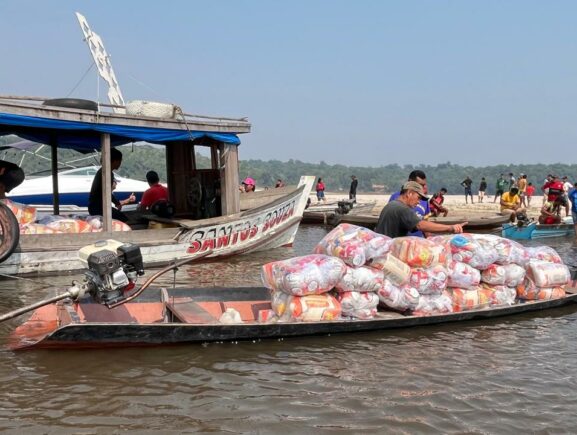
(418, 252)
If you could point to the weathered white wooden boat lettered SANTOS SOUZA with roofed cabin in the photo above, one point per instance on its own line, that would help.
(210, 213)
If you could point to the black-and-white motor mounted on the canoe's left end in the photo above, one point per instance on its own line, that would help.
(112, 269)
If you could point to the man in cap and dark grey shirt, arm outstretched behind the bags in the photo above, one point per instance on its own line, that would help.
(398, 219)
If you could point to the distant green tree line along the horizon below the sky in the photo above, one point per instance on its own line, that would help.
(382, 179)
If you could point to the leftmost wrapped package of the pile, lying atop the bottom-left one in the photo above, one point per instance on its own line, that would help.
(307, 275)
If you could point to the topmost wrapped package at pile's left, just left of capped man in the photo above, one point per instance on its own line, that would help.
(353, 244)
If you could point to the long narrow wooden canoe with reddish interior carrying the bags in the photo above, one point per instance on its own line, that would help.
(162, 317)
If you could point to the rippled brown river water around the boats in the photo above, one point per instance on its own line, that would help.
(503, 376)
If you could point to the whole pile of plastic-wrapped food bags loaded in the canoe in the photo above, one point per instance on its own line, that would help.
(417, 276)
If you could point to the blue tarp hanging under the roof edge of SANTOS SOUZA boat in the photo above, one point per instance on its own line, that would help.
(86, 136)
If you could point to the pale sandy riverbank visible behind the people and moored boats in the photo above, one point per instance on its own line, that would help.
(455, 203)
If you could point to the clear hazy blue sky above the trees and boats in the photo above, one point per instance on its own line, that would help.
(365, 83)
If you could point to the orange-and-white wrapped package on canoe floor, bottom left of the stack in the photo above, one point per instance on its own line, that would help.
(311, 308)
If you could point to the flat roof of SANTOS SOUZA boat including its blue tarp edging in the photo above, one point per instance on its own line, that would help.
(29, 118)
